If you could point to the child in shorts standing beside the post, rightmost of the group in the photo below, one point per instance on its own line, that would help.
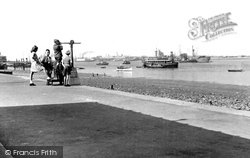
(67, 68)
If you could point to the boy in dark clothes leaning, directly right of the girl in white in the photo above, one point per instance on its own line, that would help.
(47, 64)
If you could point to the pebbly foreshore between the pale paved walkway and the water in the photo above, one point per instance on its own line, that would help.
(204, 93)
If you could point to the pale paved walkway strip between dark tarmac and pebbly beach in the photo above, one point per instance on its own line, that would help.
(15, 91)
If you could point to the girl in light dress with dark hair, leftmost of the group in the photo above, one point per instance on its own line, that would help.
(35, 64)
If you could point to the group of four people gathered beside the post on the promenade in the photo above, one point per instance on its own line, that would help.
(46, 63)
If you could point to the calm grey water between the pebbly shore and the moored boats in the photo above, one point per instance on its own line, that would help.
(215, 71)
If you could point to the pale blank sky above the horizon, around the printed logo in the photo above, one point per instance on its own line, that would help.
(128, 27)
